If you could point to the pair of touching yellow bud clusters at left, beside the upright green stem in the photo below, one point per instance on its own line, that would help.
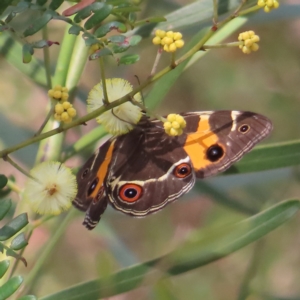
(64, 110)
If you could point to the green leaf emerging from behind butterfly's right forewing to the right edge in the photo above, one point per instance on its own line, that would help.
(268, 157)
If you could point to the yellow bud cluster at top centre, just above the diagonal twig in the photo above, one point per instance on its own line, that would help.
(170, 40)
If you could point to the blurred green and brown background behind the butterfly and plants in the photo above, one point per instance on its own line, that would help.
(267, 82)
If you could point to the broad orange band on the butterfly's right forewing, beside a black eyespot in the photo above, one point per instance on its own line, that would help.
(197, 143)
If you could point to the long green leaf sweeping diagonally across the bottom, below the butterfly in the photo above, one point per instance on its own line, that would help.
(202, 248)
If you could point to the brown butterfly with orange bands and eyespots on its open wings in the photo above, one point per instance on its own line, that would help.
(142, 171)
